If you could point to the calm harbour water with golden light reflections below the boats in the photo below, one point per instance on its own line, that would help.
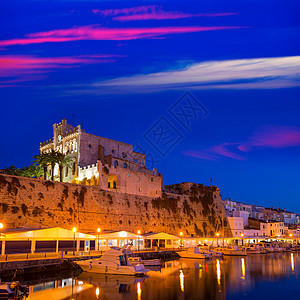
(266, 276)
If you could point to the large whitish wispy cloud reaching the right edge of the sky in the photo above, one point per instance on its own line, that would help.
(272, 72)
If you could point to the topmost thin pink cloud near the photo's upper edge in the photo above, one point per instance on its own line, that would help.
(152, 12)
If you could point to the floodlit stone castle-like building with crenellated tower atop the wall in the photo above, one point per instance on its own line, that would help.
(103, 162)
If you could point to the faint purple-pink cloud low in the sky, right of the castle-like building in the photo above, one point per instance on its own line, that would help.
(272, 137)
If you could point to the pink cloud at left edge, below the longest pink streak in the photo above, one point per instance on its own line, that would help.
(26, 67)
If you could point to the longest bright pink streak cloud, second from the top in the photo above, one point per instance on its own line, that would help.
(94, 32)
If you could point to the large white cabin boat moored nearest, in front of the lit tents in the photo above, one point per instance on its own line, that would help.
(114, 261)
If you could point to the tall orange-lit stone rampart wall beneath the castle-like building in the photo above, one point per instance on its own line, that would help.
(26, 202)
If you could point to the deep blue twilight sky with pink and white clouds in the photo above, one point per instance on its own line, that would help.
(208, 89)
